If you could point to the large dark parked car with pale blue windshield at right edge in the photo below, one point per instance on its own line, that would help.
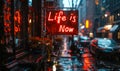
(105, 48)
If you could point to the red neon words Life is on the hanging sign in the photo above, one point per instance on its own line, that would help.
(60, 16)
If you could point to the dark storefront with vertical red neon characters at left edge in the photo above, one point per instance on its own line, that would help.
(14, 30)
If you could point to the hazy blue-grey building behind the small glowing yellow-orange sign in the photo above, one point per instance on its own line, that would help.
(86, 13)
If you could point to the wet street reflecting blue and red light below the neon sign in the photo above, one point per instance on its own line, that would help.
(83, 61)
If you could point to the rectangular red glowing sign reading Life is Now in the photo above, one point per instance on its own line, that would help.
(62, 22)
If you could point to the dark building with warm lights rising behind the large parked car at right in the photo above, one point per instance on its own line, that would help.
(107, 12)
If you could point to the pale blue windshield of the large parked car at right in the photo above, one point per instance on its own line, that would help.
(107, 42)
